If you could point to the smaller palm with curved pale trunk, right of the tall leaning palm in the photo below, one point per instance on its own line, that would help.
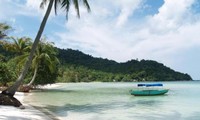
(45, 60)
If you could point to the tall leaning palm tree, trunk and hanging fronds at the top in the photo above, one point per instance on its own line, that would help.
(64, 4)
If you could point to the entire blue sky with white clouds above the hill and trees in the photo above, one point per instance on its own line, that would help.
(163, 30)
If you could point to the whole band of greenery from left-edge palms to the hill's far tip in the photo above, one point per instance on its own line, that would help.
(51, 64)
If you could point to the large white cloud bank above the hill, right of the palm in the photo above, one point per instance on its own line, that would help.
(159, 37)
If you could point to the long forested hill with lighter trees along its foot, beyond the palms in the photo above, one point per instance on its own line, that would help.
(81, 67)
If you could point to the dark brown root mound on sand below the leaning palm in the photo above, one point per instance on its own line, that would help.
(9, 100)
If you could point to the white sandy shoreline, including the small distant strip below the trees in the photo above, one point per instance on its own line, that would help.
(30, 112)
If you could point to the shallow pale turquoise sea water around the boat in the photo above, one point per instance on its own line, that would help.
(112, 101)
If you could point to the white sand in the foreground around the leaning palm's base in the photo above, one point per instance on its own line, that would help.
(14, 113)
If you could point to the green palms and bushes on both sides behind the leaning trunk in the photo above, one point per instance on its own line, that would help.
(13, 55)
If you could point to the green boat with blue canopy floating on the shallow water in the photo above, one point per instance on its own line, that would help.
(149, 90)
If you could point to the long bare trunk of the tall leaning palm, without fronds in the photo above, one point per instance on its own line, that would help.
(11, 90)
